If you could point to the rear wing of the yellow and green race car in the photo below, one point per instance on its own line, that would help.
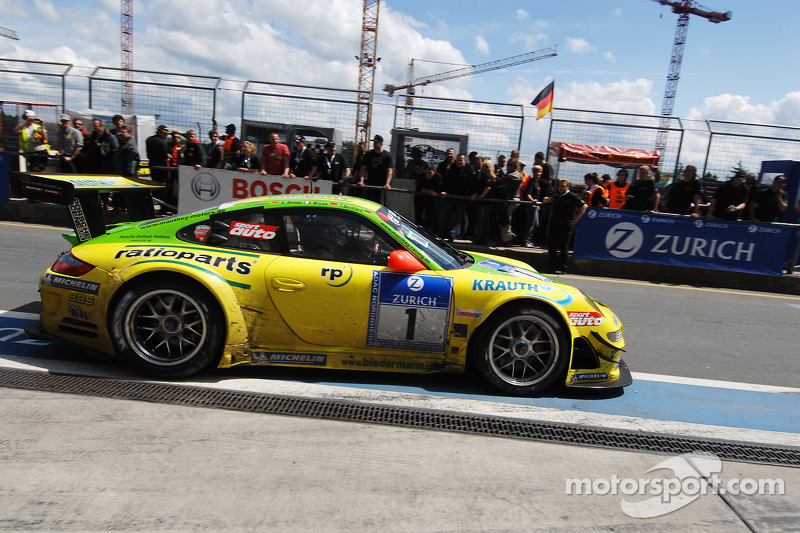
(81, 194)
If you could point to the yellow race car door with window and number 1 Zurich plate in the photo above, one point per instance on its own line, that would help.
(333, 289)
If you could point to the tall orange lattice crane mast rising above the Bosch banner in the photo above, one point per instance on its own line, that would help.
(367, 61)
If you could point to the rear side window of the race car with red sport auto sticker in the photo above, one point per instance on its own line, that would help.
(247, 229)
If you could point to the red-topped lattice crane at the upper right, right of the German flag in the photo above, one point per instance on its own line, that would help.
(683, 8)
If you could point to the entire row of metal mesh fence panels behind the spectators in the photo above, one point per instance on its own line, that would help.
(186, 101)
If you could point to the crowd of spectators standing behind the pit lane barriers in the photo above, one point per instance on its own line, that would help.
(463, 196)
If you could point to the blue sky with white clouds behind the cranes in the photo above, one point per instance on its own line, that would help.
(613, 55)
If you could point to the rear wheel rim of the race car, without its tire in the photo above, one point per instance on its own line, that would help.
(166, 327)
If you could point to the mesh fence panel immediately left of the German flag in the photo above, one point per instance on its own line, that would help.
(493, 128)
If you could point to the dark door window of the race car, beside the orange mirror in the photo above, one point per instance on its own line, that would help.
(335, 235)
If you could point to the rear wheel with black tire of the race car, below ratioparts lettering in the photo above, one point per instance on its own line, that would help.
(168, 328)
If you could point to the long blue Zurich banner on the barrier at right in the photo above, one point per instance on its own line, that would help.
(638, 237)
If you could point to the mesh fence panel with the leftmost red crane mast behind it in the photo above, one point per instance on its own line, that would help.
(179, 101)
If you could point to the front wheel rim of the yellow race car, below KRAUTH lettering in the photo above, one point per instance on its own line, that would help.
(523, 350)
